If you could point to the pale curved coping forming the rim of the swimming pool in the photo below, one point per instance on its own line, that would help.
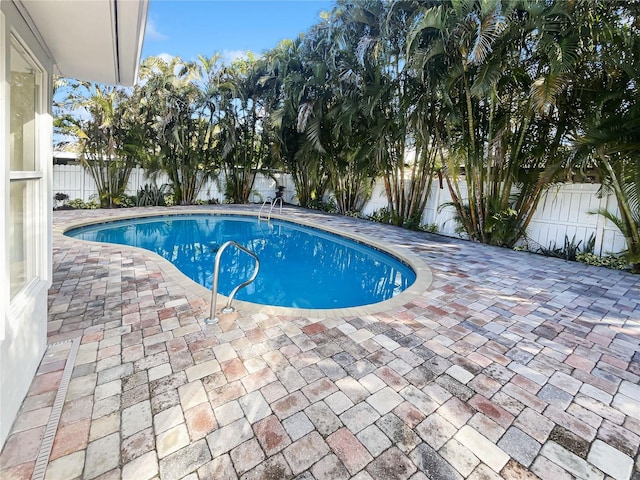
(423, 273)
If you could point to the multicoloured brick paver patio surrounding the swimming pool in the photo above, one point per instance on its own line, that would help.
(508, 365)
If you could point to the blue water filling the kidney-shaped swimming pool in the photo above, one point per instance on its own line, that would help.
(299, 266)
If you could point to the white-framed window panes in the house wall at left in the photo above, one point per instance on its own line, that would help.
(25, 174)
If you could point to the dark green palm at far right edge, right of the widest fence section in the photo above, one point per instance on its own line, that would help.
(608, 136)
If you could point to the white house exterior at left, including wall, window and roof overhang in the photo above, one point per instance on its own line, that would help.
(27, 197)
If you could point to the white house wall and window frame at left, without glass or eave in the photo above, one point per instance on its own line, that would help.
(23, 319)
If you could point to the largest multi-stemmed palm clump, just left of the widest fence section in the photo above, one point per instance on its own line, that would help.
(490, 64)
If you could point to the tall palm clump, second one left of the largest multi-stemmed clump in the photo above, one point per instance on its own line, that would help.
(330, 112)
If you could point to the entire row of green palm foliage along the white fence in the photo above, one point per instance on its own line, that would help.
(494, 99)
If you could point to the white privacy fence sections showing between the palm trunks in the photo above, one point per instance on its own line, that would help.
(563, 210)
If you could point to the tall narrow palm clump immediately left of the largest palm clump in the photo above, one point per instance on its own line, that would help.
(403, 128)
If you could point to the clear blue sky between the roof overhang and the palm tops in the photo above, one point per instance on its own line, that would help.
(186, 28)
